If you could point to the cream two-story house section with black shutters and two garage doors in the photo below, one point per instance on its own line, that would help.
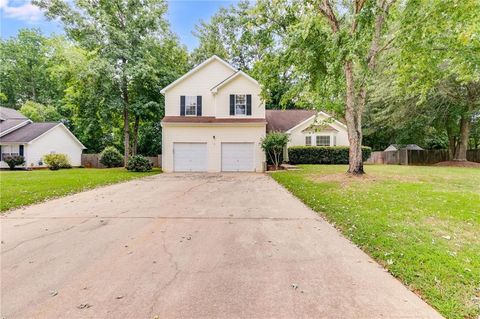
(214, 121)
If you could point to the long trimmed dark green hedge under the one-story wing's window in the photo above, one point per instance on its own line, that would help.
(322, 154)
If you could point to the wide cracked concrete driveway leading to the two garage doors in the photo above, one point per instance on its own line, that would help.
(201, 246)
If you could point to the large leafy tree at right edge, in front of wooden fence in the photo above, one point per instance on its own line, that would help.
(439, 54)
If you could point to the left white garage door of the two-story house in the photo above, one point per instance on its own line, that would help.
(190, 157)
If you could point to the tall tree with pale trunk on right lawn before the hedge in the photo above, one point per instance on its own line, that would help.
(333, 47)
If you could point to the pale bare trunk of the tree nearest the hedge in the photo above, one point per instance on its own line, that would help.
(353, 117)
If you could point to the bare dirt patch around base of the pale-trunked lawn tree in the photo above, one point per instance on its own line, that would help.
(345, 179)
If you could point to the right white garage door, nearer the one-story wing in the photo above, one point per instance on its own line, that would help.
(238, 157)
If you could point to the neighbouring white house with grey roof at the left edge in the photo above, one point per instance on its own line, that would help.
(20, 136)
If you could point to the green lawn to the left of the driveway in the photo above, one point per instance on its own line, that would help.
(19, 188)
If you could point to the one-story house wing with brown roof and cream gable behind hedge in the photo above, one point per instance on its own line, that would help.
(307, 128)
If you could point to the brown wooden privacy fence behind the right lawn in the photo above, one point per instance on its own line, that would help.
(417, 157)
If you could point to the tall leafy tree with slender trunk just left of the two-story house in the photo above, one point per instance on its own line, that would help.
(120, 32)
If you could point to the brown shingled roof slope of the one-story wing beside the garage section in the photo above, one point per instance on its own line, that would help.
(283, 120)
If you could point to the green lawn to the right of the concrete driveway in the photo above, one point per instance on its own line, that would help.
(421, 223)
